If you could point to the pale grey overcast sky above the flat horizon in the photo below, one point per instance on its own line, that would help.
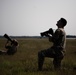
(30, 17)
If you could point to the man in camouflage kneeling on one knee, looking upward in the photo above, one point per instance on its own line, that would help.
(57, 51)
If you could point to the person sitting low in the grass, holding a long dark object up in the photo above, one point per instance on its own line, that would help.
(11, 48)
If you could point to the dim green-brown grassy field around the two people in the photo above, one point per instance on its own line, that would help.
(24, 62)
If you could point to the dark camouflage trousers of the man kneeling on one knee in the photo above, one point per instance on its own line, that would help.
(54, 53)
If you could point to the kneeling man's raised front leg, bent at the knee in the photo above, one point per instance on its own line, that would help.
(42, 54)
